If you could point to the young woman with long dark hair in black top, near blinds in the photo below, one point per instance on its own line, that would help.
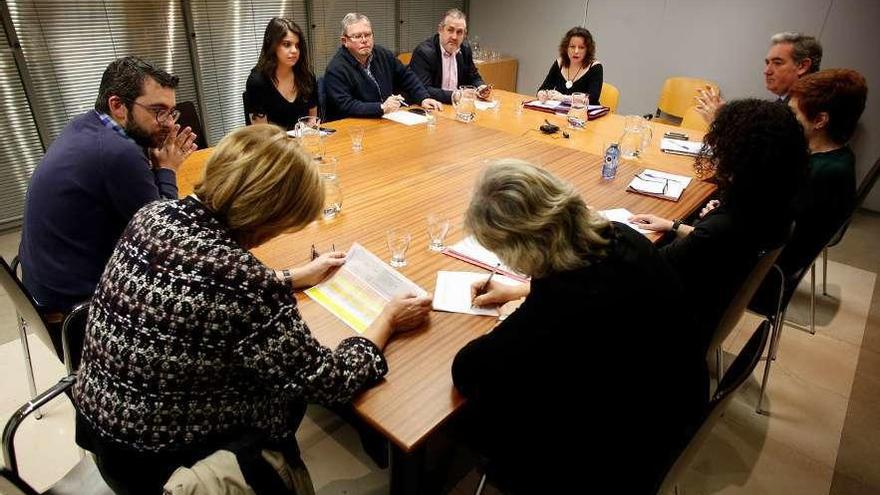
(282, 87)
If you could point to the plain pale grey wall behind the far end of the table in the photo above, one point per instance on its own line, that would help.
(642, 42)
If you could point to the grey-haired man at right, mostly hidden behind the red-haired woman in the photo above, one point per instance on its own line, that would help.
(790, 57)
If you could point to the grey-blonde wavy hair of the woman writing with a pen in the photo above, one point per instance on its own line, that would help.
(536, 223)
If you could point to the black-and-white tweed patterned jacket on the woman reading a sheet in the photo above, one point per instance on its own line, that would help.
(191, 339)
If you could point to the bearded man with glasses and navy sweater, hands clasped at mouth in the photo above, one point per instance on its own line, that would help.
(103, 167)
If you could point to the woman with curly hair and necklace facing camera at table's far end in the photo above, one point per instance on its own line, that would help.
(576, 70)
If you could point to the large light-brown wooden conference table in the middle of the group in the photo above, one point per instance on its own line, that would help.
(407, 172)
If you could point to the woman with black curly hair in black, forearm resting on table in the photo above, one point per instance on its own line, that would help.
(756, 153)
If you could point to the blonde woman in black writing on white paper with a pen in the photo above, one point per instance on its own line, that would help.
(598, 320)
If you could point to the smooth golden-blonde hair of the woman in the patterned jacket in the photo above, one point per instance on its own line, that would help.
(261, 183)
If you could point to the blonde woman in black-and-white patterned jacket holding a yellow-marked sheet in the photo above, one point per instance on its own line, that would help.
(193, 345)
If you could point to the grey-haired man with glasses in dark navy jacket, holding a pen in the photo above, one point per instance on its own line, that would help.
(366, 80)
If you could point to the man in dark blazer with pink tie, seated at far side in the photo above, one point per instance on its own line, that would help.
(445, 61)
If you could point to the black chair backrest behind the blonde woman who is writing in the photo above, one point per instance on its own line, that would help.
(740, 371)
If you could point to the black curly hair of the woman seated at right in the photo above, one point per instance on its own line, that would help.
(756, 152)
